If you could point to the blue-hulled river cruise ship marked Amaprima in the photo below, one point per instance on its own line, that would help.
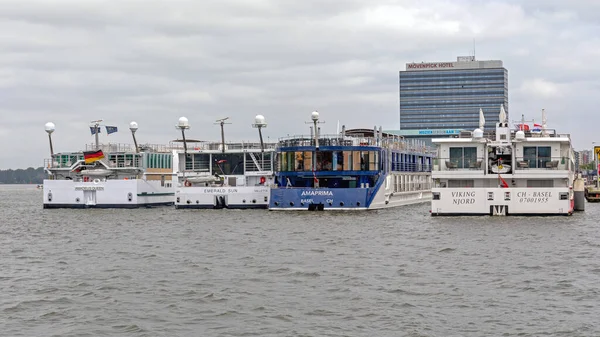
(357, 169)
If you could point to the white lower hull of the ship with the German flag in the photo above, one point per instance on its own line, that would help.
(131, 193)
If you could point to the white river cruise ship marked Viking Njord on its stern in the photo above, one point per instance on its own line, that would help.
(504, 171)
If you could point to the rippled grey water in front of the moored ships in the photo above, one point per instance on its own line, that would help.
(401, 272)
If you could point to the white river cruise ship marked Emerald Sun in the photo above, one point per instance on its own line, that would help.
(217, 175)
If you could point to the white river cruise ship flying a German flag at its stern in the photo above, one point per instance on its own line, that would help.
(109, 175)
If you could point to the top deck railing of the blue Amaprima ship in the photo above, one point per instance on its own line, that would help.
(394, 142)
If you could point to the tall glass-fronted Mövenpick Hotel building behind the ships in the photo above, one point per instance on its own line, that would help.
(448, 95)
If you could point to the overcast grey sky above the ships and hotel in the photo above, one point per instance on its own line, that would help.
(74, 61)
